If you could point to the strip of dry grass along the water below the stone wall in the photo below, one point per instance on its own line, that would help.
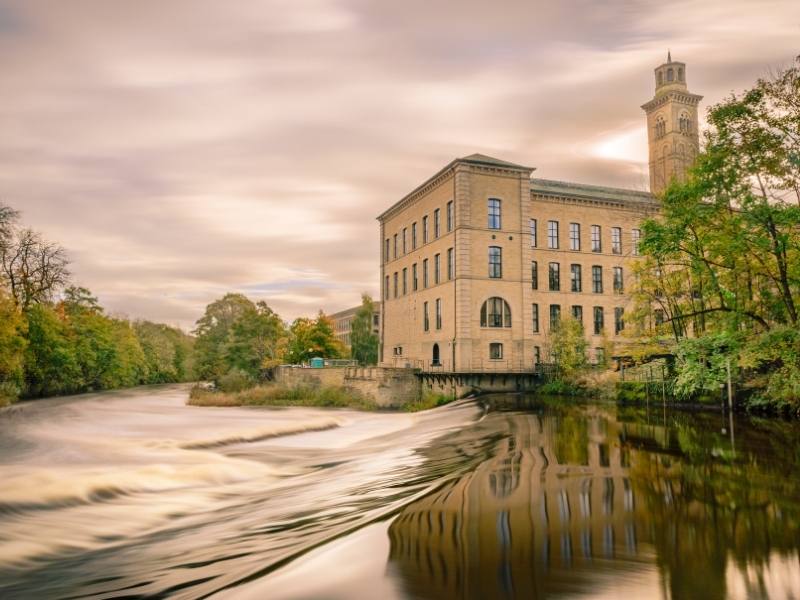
(279, 395)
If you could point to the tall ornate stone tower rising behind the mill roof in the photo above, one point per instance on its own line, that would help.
(672, 125)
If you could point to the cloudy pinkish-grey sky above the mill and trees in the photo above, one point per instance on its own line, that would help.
(180, 149)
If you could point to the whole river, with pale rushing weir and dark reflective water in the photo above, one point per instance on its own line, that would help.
(133, 494)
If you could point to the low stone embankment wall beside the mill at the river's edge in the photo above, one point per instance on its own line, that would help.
(386, 386)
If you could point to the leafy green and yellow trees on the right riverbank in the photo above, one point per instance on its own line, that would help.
(721, 274)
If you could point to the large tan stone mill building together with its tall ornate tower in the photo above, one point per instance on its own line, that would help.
(481, 261)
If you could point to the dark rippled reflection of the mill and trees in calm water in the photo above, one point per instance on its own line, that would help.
(575, 498)
